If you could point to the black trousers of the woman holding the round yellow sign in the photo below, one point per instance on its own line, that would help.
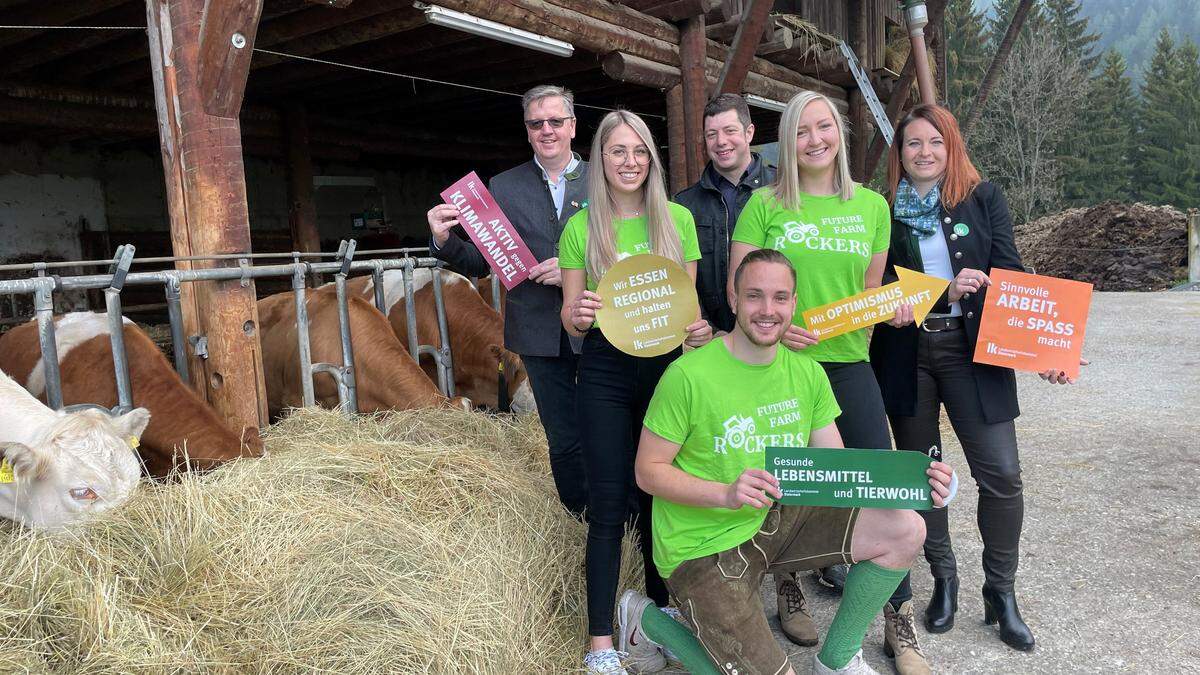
(615, 391)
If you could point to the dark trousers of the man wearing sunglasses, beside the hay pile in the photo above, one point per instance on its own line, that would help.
(554, 384)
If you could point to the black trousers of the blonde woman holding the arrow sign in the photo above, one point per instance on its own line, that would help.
(863, 423)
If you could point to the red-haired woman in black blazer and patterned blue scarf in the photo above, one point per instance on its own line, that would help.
(951, 224)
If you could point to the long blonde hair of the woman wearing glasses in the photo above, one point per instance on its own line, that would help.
(602, 252)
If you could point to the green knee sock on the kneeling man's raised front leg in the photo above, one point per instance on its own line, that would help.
(868, 587)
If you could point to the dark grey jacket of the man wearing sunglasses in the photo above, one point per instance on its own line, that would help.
(532, 326)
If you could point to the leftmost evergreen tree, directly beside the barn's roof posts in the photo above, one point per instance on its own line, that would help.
(967, 53)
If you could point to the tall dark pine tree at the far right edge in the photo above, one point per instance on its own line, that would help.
(1163, 169)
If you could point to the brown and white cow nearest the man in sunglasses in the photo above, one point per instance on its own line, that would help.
(477, 334)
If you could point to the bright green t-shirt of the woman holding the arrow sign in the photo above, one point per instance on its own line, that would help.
(831, 243)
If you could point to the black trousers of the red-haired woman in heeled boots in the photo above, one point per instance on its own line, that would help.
(945, 377)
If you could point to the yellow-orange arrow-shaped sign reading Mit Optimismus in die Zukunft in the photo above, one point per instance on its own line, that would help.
(878, 306)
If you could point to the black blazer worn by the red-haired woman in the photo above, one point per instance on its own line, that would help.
(987, 246)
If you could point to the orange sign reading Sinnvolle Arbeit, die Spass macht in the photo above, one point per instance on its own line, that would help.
(1034, 322)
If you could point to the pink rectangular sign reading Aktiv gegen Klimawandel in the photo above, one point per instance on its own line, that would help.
(490, 230)
